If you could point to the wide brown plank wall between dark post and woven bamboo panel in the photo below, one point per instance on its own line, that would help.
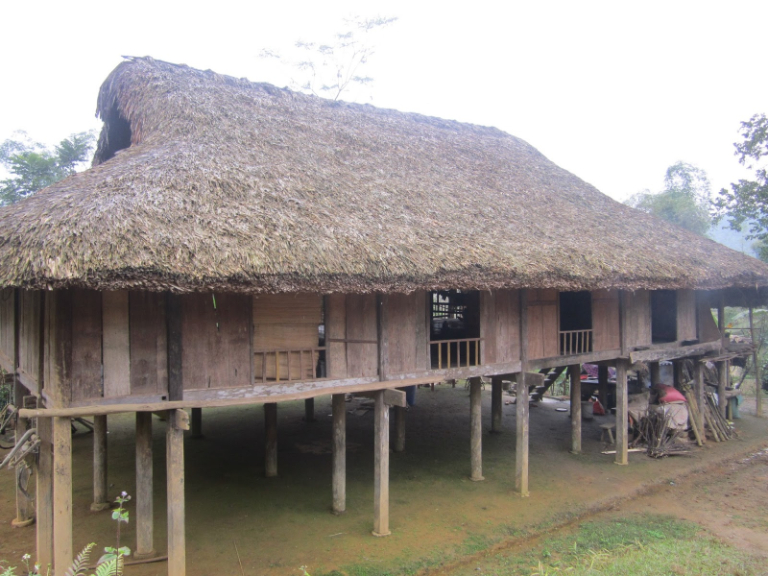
(215, 341)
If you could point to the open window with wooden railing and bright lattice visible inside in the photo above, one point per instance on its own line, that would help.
(454, 329)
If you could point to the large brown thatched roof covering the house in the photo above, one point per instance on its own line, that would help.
(206, 182)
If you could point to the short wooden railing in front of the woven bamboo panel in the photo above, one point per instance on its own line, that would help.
(287, 365)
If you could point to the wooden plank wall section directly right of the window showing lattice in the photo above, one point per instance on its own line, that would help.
(500, 326)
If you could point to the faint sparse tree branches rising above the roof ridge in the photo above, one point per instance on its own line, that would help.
(329, 69)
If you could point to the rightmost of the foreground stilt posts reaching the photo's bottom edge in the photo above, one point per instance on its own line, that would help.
(174, 462)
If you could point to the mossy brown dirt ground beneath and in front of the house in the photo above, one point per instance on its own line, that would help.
(438, 516)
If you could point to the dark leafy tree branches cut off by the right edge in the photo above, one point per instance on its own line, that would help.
(747, 200)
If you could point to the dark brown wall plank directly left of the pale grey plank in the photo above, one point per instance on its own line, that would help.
(86, 344)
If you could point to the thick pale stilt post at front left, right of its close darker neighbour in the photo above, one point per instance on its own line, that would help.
(62, 494)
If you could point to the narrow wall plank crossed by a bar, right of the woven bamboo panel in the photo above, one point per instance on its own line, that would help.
(362, 336)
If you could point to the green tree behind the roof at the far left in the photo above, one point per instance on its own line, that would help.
(34, 166)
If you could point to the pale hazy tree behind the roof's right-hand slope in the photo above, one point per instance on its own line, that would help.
(684, 200)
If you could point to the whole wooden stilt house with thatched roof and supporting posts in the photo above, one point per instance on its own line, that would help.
(238, 243)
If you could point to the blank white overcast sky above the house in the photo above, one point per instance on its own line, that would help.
(614, 91)
